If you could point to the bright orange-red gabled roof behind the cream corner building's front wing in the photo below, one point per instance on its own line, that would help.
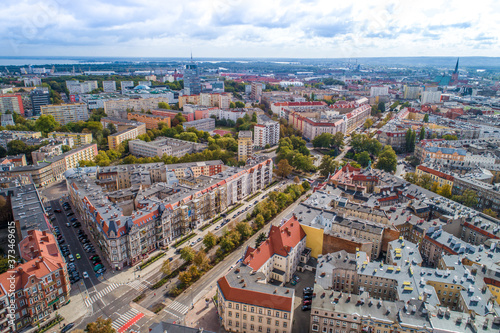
(280, 241)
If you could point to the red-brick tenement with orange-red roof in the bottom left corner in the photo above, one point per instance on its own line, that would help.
(41, 284)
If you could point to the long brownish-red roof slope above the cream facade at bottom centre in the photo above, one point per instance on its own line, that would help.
(254, 297)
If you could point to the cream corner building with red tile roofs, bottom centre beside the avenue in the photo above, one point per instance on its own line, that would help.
(246, 301)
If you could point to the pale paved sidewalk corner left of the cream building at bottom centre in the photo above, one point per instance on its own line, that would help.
(204, 317)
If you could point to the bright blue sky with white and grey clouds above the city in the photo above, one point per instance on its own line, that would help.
(250, 28)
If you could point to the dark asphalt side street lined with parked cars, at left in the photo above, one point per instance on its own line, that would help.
(76, 247)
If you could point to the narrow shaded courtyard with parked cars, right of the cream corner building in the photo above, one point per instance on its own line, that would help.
(301, 318)
